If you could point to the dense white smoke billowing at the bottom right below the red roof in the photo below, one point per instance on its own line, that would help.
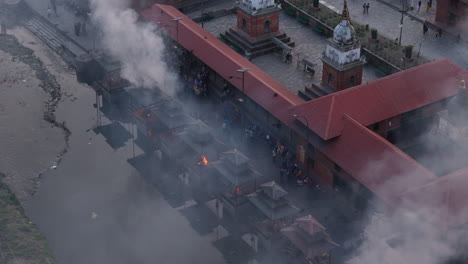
(403, 238)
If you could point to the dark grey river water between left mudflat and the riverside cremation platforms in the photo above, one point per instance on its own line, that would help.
(95, 207)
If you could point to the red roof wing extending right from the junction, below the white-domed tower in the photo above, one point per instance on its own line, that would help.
(383, 98)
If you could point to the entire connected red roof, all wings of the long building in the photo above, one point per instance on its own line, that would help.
(340, 118)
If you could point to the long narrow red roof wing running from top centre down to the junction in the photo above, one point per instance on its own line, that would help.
(259, 86)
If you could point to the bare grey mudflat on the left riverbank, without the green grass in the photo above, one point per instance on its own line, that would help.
(32, 141)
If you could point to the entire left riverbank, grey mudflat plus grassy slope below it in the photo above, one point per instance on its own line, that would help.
(31, 143)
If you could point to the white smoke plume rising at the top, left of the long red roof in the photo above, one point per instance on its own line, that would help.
(138, 46)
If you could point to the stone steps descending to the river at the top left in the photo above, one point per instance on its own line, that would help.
(55, 38)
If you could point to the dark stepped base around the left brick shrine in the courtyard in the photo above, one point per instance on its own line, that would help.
(258, 48)
